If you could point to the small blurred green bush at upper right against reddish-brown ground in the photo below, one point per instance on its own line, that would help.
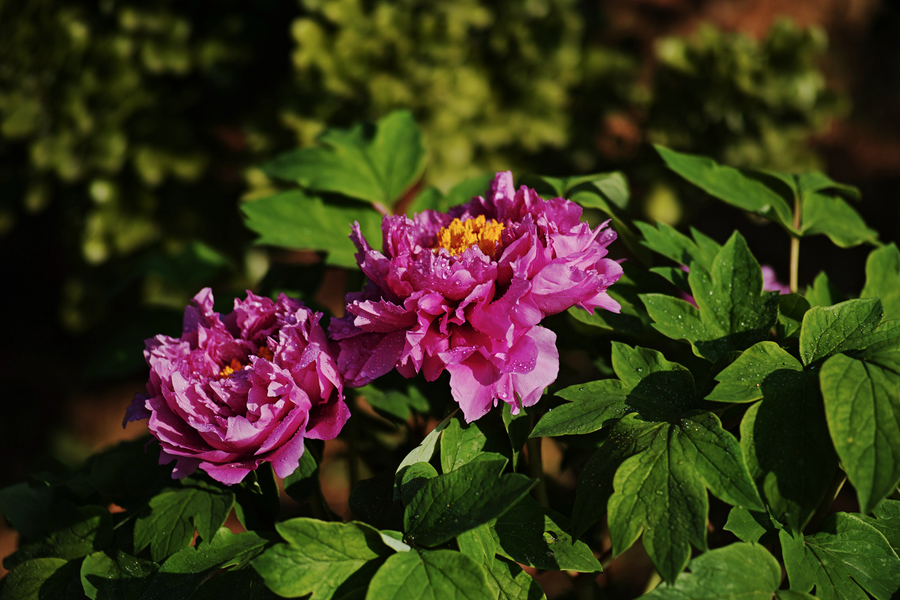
(747, 103)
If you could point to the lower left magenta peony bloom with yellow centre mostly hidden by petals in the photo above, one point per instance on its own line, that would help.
(234, 392)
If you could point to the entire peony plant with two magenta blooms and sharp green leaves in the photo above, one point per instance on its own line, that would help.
(714, 433)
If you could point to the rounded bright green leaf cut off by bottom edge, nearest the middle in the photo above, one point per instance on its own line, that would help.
(430, 575)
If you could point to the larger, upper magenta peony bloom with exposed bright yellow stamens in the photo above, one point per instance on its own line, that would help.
(465, 292)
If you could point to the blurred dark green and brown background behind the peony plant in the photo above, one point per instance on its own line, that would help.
(130, 131)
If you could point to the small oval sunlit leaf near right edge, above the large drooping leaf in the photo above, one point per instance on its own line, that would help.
(839, 328)
